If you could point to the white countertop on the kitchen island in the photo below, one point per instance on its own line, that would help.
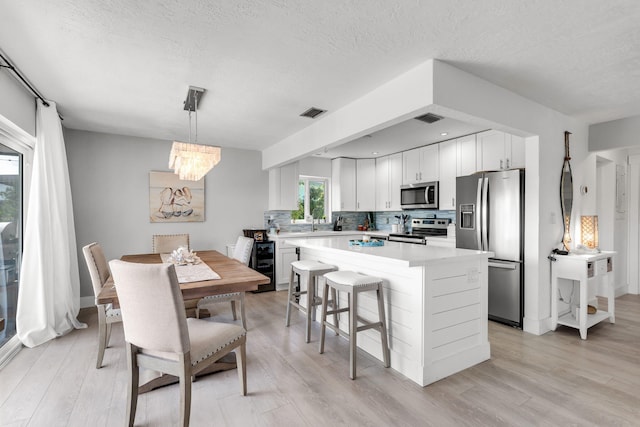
(401, 253)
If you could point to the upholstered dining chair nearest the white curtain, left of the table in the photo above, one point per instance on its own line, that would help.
(107, 315)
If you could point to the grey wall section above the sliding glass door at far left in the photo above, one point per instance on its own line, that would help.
(16, 103)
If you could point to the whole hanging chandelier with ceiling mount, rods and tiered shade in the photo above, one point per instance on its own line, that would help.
(192, 161)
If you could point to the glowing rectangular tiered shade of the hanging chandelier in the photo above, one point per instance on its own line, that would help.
(192, 161)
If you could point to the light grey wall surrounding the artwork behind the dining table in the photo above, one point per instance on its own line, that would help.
(110, 187)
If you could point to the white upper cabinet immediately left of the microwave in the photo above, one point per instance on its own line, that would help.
(388, 182)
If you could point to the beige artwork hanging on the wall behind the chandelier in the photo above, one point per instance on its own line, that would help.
(174, 200)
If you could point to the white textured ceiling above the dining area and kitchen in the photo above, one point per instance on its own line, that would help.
(123, 67)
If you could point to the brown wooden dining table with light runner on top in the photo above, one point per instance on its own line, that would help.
(234, 276)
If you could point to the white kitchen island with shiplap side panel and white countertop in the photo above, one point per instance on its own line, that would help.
(435, 297)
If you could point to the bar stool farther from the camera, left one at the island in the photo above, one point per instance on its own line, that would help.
(311, 270)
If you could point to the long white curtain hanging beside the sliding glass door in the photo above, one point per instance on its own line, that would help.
(49, 295)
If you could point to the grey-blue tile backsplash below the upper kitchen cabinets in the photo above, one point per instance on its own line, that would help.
(351, 220)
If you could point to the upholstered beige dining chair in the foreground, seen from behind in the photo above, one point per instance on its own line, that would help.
(159, 336)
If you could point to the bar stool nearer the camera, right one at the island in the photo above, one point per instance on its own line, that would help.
(353, 283)
